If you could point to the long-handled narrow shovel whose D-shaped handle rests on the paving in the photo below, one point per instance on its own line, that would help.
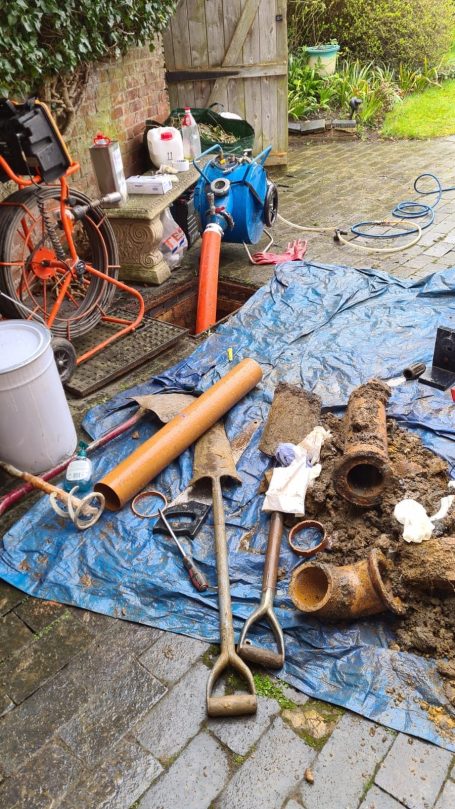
(213, 460)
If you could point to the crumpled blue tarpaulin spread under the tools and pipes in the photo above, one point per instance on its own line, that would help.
(328, 328)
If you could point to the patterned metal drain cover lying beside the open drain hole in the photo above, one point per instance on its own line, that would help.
(151, 338)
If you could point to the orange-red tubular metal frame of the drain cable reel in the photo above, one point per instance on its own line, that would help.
(67, 223)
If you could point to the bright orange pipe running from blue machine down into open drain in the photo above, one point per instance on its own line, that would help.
(209, 264)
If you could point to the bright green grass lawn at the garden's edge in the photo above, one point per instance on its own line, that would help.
(430, 114)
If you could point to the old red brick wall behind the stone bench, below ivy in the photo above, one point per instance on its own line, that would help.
(119, 96)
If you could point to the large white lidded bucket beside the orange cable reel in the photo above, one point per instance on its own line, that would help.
(36, 427)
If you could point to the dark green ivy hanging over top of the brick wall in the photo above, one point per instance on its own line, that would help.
(48, 46)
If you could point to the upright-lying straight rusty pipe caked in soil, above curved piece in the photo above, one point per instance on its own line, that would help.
(361, 474)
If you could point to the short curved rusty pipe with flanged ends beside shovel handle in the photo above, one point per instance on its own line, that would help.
(346, 592)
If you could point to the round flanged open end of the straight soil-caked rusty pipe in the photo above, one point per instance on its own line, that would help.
(361, 477)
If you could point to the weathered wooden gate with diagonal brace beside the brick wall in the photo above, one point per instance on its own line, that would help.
(233, 52)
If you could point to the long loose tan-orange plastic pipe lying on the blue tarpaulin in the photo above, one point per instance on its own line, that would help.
(147, 461)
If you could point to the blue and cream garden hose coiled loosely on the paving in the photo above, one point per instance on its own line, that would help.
(403, 211)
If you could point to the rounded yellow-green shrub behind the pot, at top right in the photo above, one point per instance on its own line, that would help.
(410, 32)
